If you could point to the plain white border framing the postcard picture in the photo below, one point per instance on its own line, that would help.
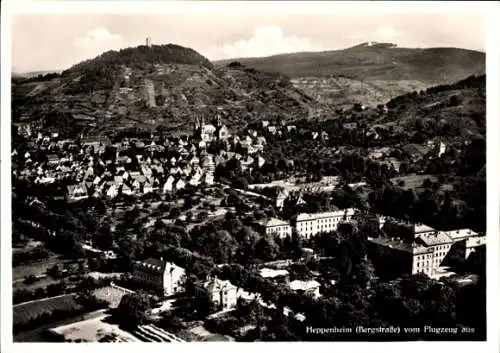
(492, 13)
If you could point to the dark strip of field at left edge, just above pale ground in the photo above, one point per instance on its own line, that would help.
(24, 312)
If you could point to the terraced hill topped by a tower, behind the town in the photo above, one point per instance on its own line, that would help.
(158, 88)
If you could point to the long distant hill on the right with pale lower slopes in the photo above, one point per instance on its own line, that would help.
(370, 73)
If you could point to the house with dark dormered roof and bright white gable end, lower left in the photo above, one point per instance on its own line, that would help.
(165, 278)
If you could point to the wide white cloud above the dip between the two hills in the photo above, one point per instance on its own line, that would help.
(265, 41)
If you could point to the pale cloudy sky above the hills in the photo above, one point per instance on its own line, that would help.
(55, 41)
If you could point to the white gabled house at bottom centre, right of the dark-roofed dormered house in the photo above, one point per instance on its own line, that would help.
(222, 294)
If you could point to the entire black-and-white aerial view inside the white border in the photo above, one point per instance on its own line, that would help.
(243, 177)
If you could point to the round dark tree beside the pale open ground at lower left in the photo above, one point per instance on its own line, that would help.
(133, 309)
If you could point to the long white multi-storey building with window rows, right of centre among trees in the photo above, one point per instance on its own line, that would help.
(308, 224)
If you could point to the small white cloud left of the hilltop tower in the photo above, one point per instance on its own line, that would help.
(96, 41)
